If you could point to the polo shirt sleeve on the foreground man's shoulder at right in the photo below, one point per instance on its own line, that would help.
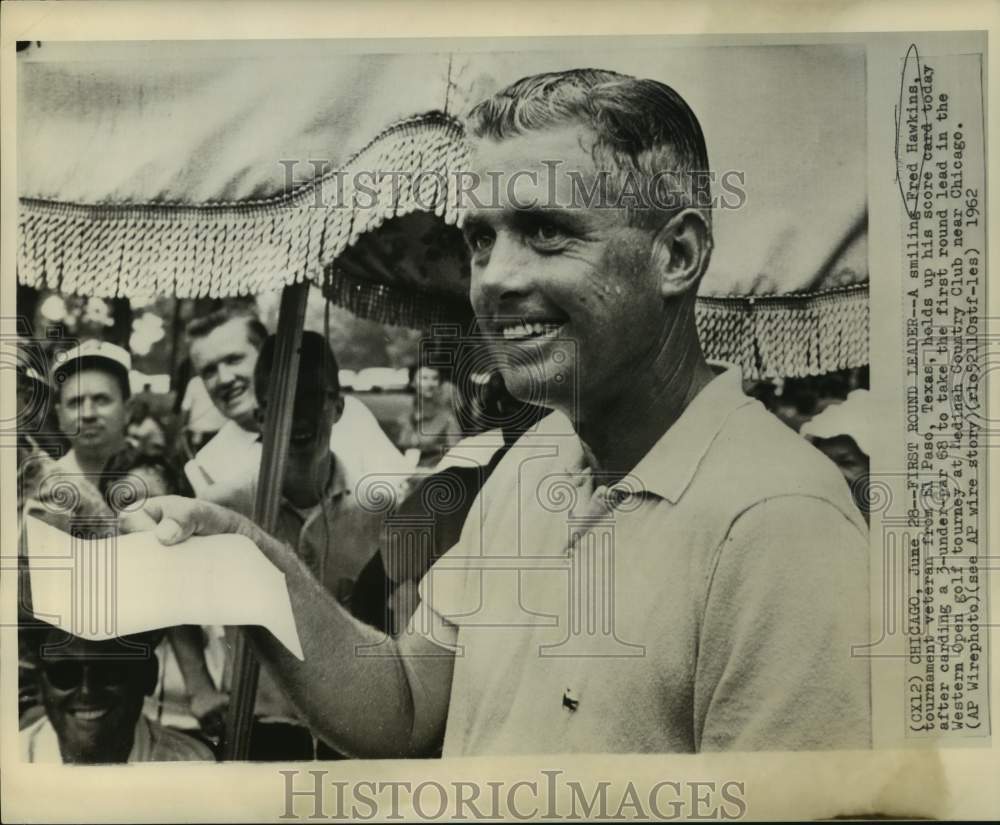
(786, 603)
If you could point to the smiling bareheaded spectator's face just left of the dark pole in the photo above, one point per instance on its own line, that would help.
(225, 359)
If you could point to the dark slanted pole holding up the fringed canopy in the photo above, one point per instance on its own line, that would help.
(277, 432)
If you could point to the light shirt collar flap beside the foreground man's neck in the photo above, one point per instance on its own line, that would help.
(669, 466)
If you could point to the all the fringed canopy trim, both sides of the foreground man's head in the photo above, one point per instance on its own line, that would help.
(232, 249)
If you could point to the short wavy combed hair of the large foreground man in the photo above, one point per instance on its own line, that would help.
(648, 140)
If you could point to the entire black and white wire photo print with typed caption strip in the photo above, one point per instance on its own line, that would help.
(544, 398)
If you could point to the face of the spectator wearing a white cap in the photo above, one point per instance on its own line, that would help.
(91, 406)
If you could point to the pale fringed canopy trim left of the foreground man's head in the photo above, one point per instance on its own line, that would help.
(231, 249)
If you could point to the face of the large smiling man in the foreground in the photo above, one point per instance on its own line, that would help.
(566, 293)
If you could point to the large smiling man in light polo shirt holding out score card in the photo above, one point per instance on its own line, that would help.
(722, 554)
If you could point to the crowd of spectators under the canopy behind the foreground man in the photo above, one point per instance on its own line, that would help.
(164, 695)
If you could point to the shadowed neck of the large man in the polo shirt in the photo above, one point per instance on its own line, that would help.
(619, 431)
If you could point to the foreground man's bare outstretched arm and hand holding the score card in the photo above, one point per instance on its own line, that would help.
(393, 704)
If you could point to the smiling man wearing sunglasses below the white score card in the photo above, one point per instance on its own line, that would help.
(93, 695)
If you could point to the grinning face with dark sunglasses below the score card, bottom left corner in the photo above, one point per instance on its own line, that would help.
(93, 697)
